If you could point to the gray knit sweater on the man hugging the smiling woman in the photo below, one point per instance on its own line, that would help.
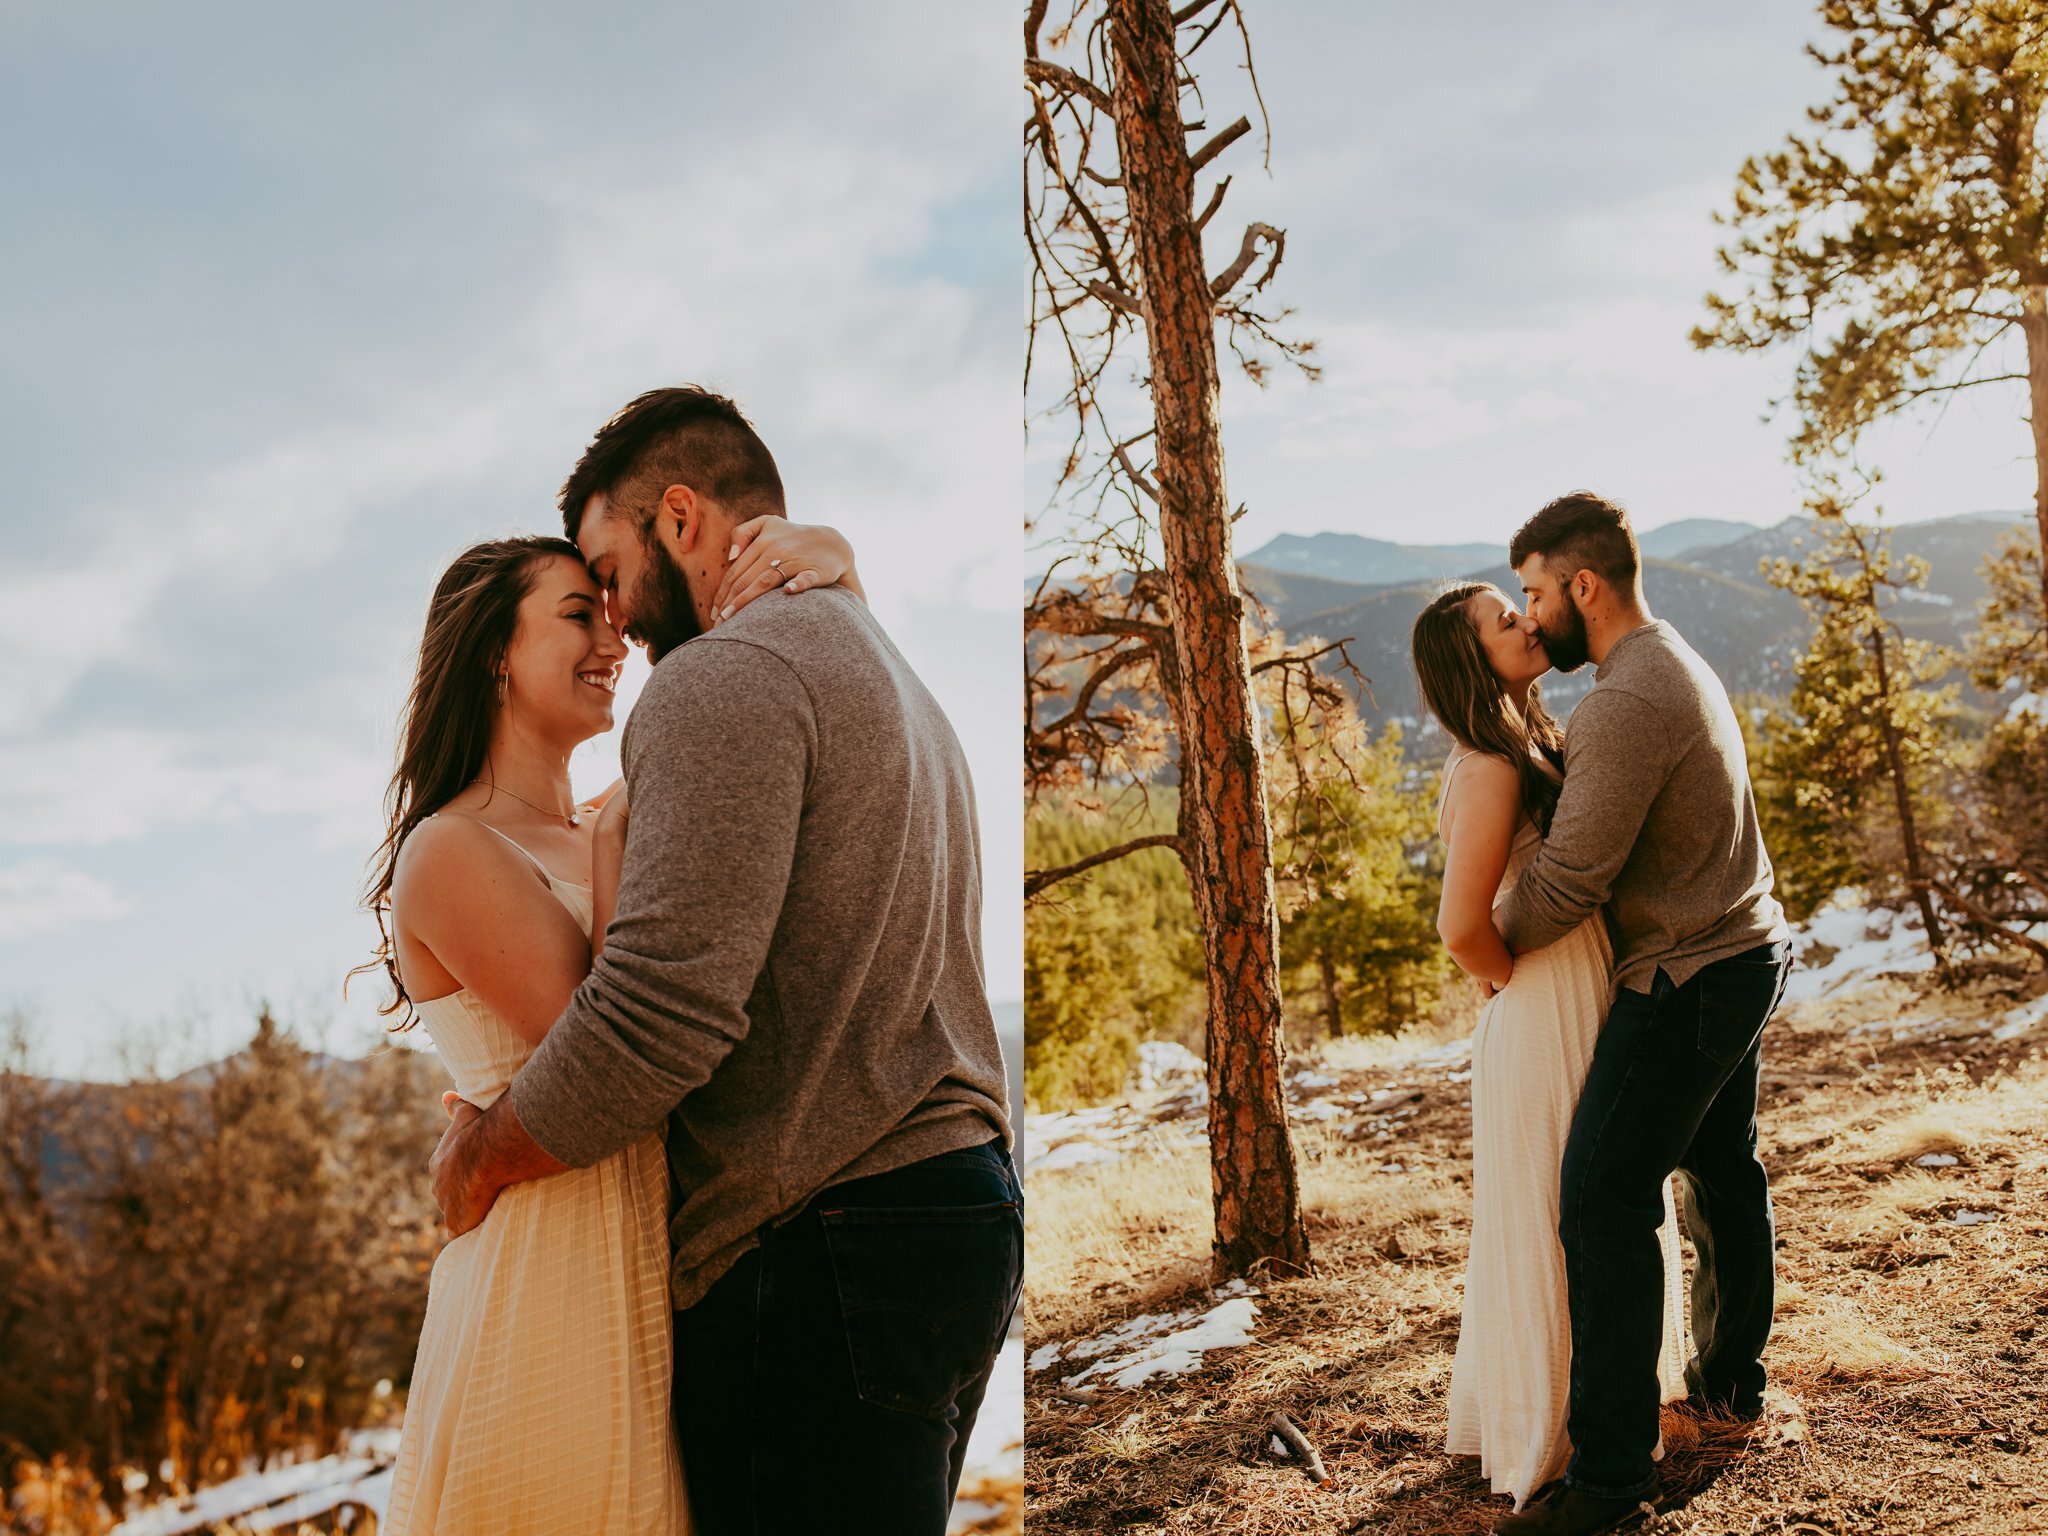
(794, 980)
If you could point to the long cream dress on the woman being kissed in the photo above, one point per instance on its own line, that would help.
(1510, 1381)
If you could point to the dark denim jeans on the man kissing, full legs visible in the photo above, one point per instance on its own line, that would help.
(1672, 1086)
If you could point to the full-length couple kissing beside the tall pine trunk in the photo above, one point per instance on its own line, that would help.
(1613, 894)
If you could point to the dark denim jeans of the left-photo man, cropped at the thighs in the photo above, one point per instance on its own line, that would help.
(830, 1379)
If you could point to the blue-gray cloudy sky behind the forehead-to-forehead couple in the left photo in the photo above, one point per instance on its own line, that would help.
(300, 302)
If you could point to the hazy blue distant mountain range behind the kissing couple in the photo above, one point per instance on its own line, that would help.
(1703, 574)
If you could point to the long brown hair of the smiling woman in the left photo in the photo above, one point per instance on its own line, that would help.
(445, 730)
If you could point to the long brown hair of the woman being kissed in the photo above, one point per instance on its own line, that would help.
(1467, 699)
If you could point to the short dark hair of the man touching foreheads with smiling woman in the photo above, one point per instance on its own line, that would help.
(675, 437)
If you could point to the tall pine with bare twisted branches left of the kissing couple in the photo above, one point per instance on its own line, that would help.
(1117, 243)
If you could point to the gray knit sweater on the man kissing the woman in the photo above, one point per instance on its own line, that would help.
(1656, 822)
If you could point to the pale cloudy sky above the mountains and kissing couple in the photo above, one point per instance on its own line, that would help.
(1500, 230)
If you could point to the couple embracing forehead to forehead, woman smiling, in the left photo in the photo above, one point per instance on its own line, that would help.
(736, 1234)
